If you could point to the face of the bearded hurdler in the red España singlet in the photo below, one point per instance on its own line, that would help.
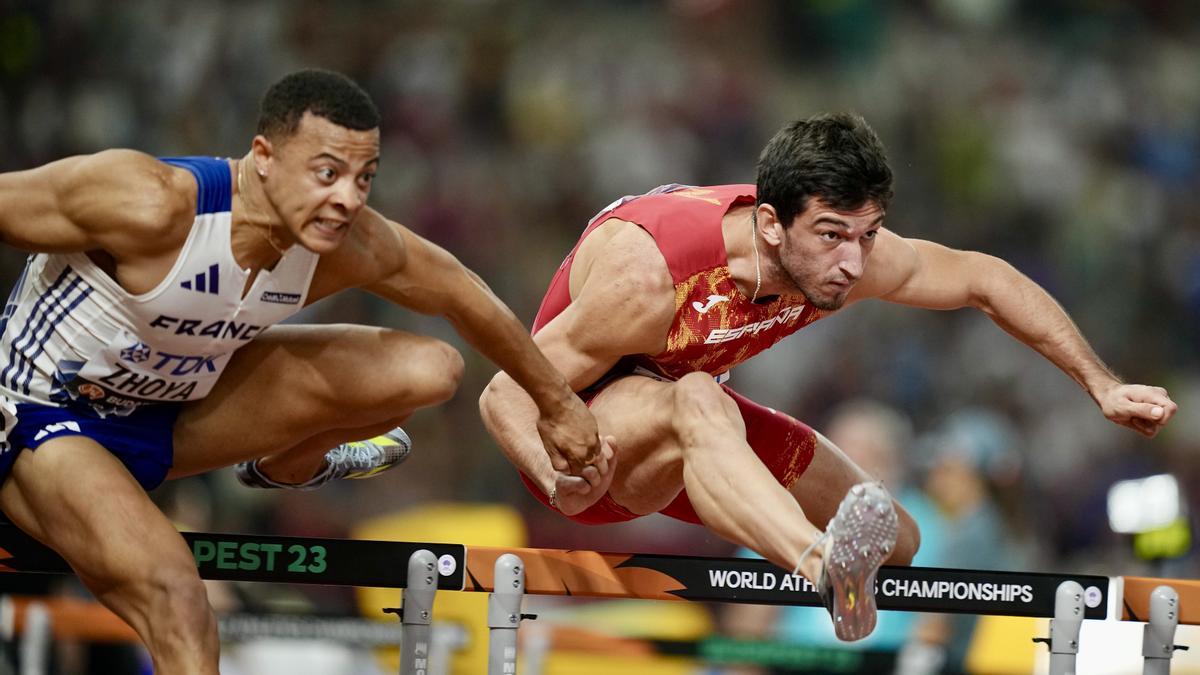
(825, 252)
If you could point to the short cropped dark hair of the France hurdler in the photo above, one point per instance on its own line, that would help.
(325, 94)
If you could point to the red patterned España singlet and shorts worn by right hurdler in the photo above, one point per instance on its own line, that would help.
(716, 326)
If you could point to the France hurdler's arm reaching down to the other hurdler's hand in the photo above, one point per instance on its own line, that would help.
(433, 282)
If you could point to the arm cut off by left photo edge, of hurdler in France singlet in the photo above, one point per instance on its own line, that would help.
(118, 201)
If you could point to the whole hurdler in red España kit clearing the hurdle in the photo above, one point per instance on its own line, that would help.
(662, 301)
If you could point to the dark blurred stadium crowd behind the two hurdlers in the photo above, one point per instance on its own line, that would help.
(1064, 136)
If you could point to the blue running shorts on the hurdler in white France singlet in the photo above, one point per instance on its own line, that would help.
(143, 440)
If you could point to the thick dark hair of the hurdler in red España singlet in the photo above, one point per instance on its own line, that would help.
(833, 157)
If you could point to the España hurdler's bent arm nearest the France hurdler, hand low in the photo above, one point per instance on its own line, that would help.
(625, 306)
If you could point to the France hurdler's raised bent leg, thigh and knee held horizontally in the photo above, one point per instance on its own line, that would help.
(298, 391)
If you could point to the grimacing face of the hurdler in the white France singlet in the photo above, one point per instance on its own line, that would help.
(319, 180)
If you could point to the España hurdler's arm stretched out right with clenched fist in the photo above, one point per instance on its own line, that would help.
(925, 274)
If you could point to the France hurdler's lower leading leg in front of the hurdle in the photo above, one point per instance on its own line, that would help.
(76, 498)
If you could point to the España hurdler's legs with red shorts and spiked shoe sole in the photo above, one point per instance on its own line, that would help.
(737, 489)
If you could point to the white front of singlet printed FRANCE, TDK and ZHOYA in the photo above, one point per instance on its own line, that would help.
(172, 343)
